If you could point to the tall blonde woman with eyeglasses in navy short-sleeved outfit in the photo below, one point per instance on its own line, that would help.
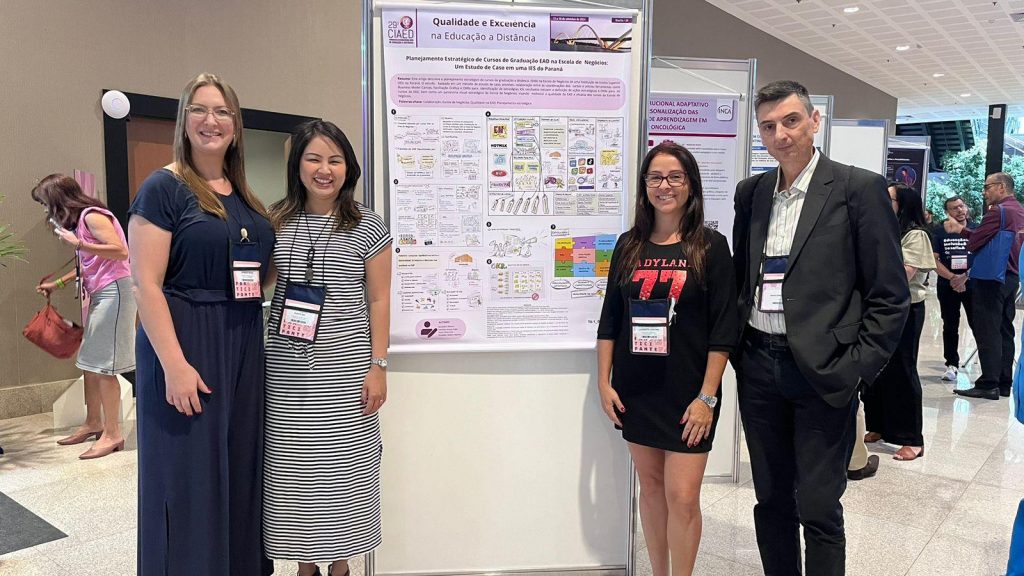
(201, 244)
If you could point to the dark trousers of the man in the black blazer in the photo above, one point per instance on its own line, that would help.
(800, 447)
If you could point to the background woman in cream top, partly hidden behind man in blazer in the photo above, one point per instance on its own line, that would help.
(893, 403)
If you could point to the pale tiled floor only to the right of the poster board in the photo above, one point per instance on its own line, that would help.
(949, 513)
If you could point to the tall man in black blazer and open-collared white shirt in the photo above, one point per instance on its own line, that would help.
(823, 301)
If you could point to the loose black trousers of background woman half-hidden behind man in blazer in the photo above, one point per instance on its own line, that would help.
(892, 403)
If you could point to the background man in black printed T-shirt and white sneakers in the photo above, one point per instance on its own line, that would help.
(952, 264)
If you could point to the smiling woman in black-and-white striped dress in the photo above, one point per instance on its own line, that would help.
(326, 362)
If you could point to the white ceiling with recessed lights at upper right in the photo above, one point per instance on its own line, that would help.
(974, 44)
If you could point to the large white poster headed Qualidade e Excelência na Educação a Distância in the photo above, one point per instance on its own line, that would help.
(507, 144)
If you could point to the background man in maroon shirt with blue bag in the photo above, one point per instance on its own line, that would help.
(993, 301)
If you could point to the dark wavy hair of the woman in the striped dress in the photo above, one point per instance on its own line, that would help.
(294, 202)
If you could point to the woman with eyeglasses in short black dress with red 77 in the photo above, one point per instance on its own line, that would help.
(668, 326)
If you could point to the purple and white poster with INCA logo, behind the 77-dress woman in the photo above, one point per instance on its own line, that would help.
(708, 127)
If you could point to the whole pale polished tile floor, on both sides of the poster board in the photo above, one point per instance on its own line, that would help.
(949, 513)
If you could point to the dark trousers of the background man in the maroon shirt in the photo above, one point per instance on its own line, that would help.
(994, 331)
